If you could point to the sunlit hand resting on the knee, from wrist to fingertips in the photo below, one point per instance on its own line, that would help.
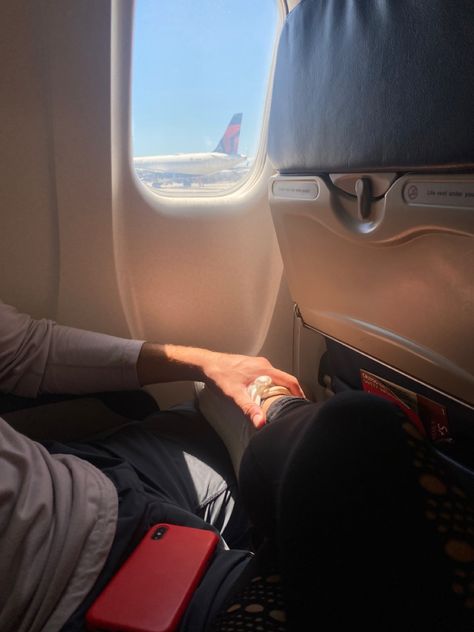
(232, 374)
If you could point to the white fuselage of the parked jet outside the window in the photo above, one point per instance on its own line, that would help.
(204, 163)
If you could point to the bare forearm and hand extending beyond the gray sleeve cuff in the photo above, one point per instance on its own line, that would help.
(230, 373)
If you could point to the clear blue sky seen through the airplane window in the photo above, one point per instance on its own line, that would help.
(194, 65)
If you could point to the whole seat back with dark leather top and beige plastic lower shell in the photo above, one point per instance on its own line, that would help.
(371, 132)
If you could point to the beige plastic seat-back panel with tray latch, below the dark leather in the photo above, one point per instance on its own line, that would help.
(399, 286)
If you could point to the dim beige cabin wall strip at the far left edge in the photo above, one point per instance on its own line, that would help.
(28, 236)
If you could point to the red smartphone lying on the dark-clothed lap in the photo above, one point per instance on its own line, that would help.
(150, 591)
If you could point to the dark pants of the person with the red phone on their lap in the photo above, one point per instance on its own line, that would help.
(171, 467)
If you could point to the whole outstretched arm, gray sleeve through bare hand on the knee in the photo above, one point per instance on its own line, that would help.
(39, 356)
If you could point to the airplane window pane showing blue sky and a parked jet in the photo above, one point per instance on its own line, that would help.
(200, 73)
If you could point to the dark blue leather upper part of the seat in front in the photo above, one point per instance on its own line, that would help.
(379, 85)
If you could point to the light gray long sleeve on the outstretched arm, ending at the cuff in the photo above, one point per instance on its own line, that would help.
(39, 356)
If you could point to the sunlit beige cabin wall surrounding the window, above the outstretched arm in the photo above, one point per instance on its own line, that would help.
(81, 241)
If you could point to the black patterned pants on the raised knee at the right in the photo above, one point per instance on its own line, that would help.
(371, 527)
